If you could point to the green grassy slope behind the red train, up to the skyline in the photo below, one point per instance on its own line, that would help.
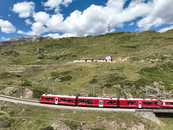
(46, 66)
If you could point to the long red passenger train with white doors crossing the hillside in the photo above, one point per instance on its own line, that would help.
(137, 103)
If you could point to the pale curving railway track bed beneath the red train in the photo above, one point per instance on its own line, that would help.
(62, 107)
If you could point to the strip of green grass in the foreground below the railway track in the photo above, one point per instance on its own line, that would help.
(35, 118)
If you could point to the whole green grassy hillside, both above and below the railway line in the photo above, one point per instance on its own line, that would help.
(142, 67)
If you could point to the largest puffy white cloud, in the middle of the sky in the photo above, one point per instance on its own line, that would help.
(96, 19)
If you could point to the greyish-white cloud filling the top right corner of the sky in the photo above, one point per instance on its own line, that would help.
(161, 12)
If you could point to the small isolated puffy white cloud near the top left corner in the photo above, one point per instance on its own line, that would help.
(24, 9)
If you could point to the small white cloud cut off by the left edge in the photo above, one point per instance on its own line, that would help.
(6, 26)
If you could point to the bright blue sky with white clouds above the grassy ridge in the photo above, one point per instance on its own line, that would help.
(65, 18)
